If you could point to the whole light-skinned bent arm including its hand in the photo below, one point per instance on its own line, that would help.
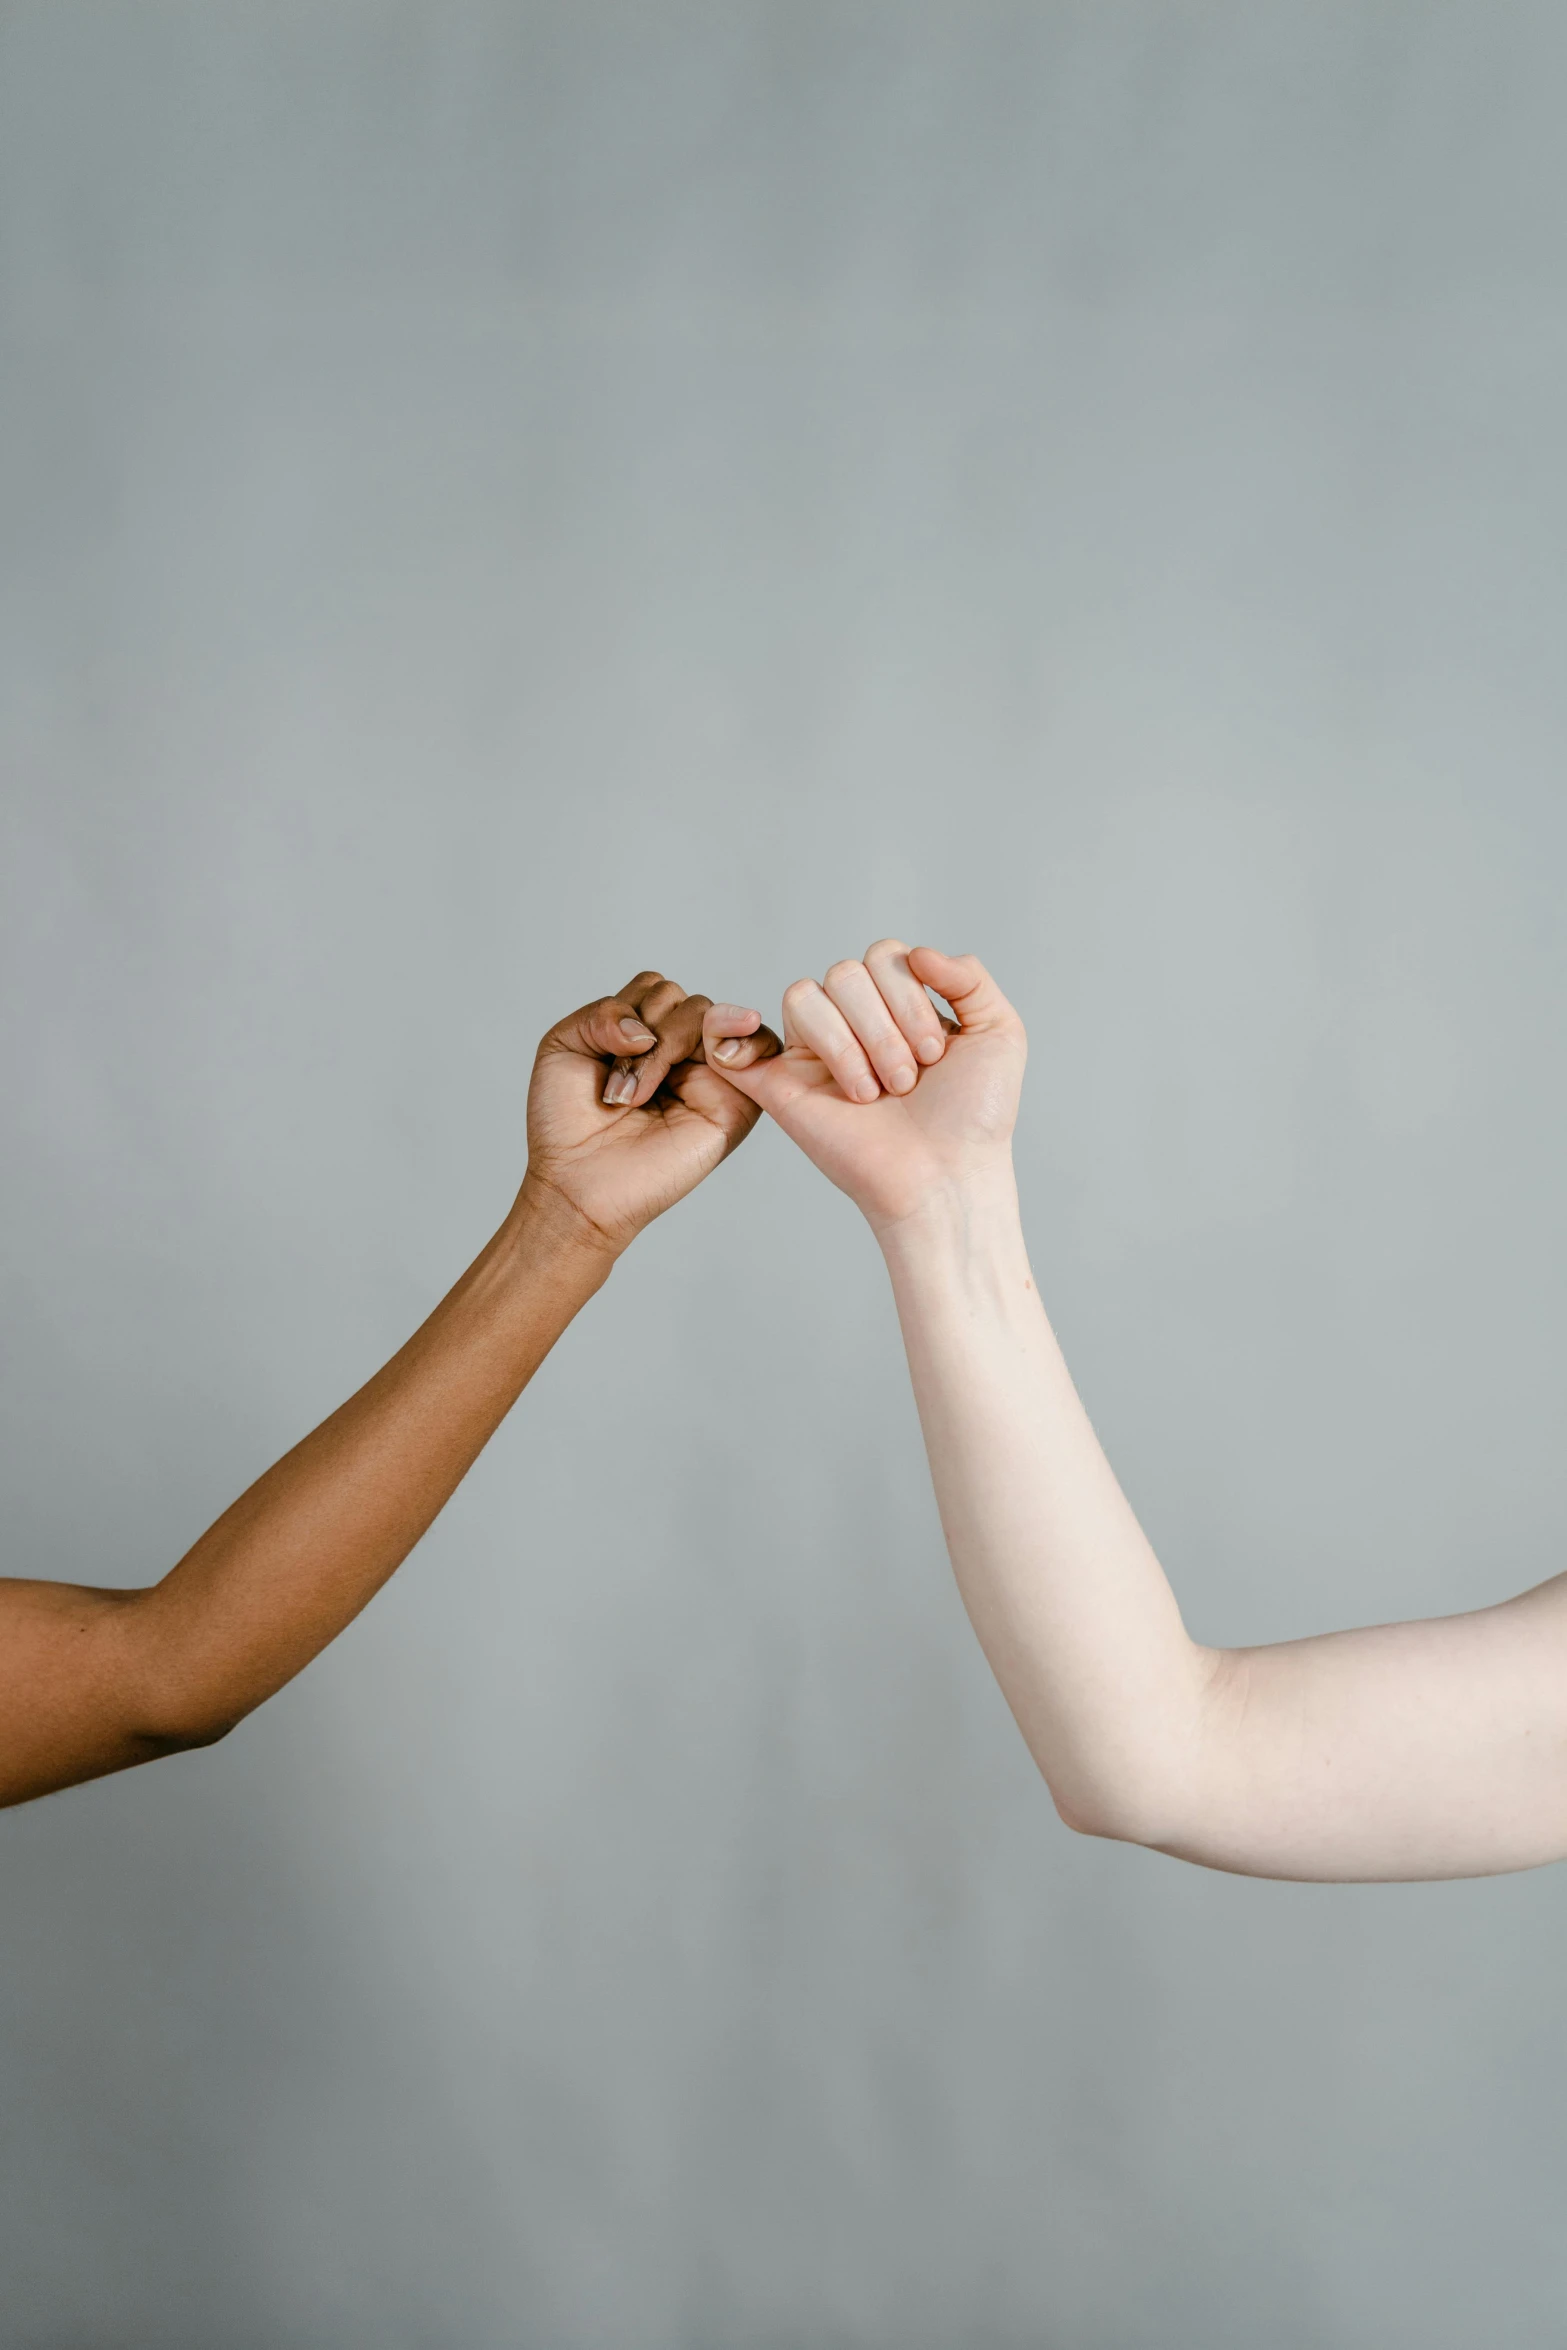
(1432, 1750)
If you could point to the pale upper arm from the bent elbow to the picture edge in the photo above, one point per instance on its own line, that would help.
(1399, 1752)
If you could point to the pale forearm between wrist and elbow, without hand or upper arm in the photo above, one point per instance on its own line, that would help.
(1061, 1585)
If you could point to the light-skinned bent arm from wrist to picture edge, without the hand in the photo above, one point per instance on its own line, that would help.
(1392, 1752)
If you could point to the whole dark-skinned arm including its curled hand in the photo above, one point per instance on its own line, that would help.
(624, 1120)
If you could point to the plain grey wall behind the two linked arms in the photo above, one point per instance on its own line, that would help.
(504, 495)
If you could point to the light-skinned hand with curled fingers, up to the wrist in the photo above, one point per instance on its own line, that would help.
(896, 1103)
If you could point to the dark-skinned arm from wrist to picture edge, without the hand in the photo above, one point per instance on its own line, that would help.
(97, 1681)
